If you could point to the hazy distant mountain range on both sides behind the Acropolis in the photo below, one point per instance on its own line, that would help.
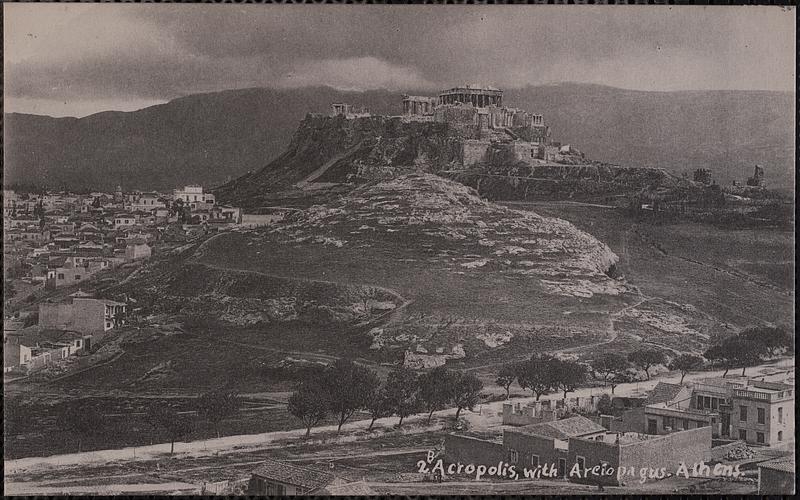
(211, 138)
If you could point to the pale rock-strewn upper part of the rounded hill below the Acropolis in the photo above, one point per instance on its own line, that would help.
(427, 210)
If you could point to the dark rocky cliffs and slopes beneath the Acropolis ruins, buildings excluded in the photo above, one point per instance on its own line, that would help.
(334, 150)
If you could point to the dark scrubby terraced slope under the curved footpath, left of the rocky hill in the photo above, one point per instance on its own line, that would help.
(192, 290)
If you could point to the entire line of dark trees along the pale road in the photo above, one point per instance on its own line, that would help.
(344, 388)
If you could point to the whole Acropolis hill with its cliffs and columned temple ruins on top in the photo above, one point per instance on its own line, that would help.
(466, 133)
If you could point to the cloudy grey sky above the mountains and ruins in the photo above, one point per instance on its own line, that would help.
(78, 59)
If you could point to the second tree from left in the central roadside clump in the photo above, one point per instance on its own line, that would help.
(349, 387)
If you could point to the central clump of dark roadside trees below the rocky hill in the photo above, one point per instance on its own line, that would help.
(344, 388)
